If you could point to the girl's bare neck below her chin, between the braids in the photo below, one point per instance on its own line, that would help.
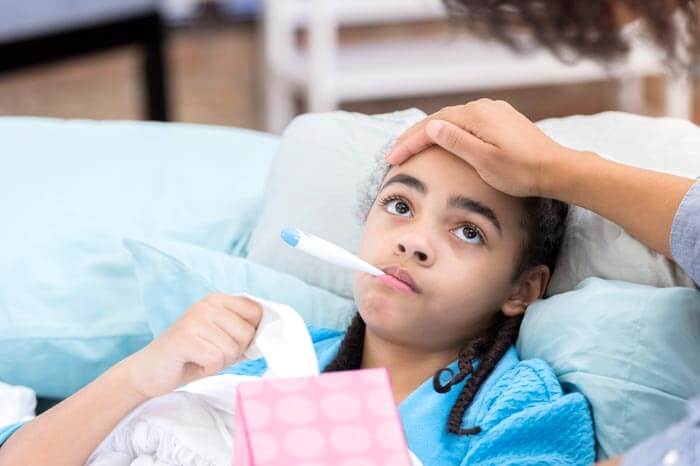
(408, 367)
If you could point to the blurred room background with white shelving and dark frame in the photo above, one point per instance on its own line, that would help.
(255, 63)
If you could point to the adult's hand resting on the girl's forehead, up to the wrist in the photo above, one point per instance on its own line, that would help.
(507, 150)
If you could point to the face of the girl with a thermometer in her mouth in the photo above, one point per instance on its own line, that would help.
(458, 239)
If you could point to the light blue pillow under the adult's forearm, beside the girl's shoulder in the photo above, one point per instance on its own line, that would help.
(630, 349)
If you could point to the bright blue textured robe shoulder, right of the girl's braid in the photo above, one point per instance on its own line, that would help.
(523, 406)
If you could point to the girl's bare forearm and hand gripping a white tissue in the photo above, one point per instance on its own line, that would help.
(211, 335)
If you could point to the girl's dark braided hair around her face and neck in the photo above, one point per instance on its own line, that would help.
(544, 222)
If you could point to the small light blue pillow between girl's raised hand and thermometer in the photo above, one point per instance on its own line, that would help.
(175, 275)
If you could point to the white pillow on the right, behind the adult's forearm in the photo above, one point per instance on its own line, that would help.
(594, 246)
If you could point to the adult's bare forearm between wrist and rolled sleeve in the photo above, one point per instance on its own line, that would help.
(643, 202)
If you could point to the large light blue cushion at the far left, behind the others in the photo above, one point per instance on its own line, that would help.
(70, 191)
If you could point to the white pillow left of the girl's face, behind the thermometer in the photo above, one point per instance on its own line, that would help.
(322, 164)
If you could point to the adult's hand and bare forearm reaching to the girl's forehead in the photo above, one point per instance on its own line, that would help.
(514, 156)
